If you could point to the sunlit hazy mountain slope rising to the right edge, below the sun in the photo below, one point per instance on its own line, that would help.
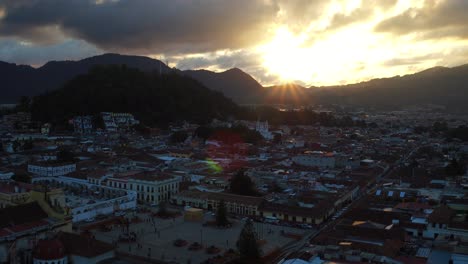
(443, 86)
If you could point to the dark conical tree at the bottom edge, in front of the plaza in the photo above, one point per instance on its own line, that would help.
(247, 244)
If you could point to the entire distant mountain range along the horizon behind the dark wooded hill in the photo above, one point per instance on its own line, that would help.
(439, 85)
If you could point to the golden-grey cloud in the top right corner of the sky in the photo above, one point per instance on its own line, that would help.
(434, 20)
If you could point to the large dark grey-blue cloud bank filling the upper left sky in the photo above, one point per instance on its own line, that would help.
(143, 26)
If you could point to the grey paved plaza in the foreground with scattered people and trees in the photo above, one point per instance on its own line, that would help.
(155, 237)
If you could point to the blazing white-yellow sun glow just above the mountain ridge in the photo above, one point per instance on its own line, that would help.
(329, 59)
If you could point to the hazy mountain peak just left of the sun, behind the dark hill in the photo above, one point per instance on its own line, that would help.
(233, 83)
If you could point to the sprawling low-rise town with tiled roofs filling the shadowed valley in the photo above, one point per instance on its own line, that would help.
(389, 187)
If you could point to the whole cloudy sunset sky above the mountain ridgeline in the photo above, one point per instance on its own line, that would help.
(310, 42)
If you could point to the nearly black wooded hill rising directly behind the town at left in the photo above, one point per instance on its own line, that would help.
(153, 98)
